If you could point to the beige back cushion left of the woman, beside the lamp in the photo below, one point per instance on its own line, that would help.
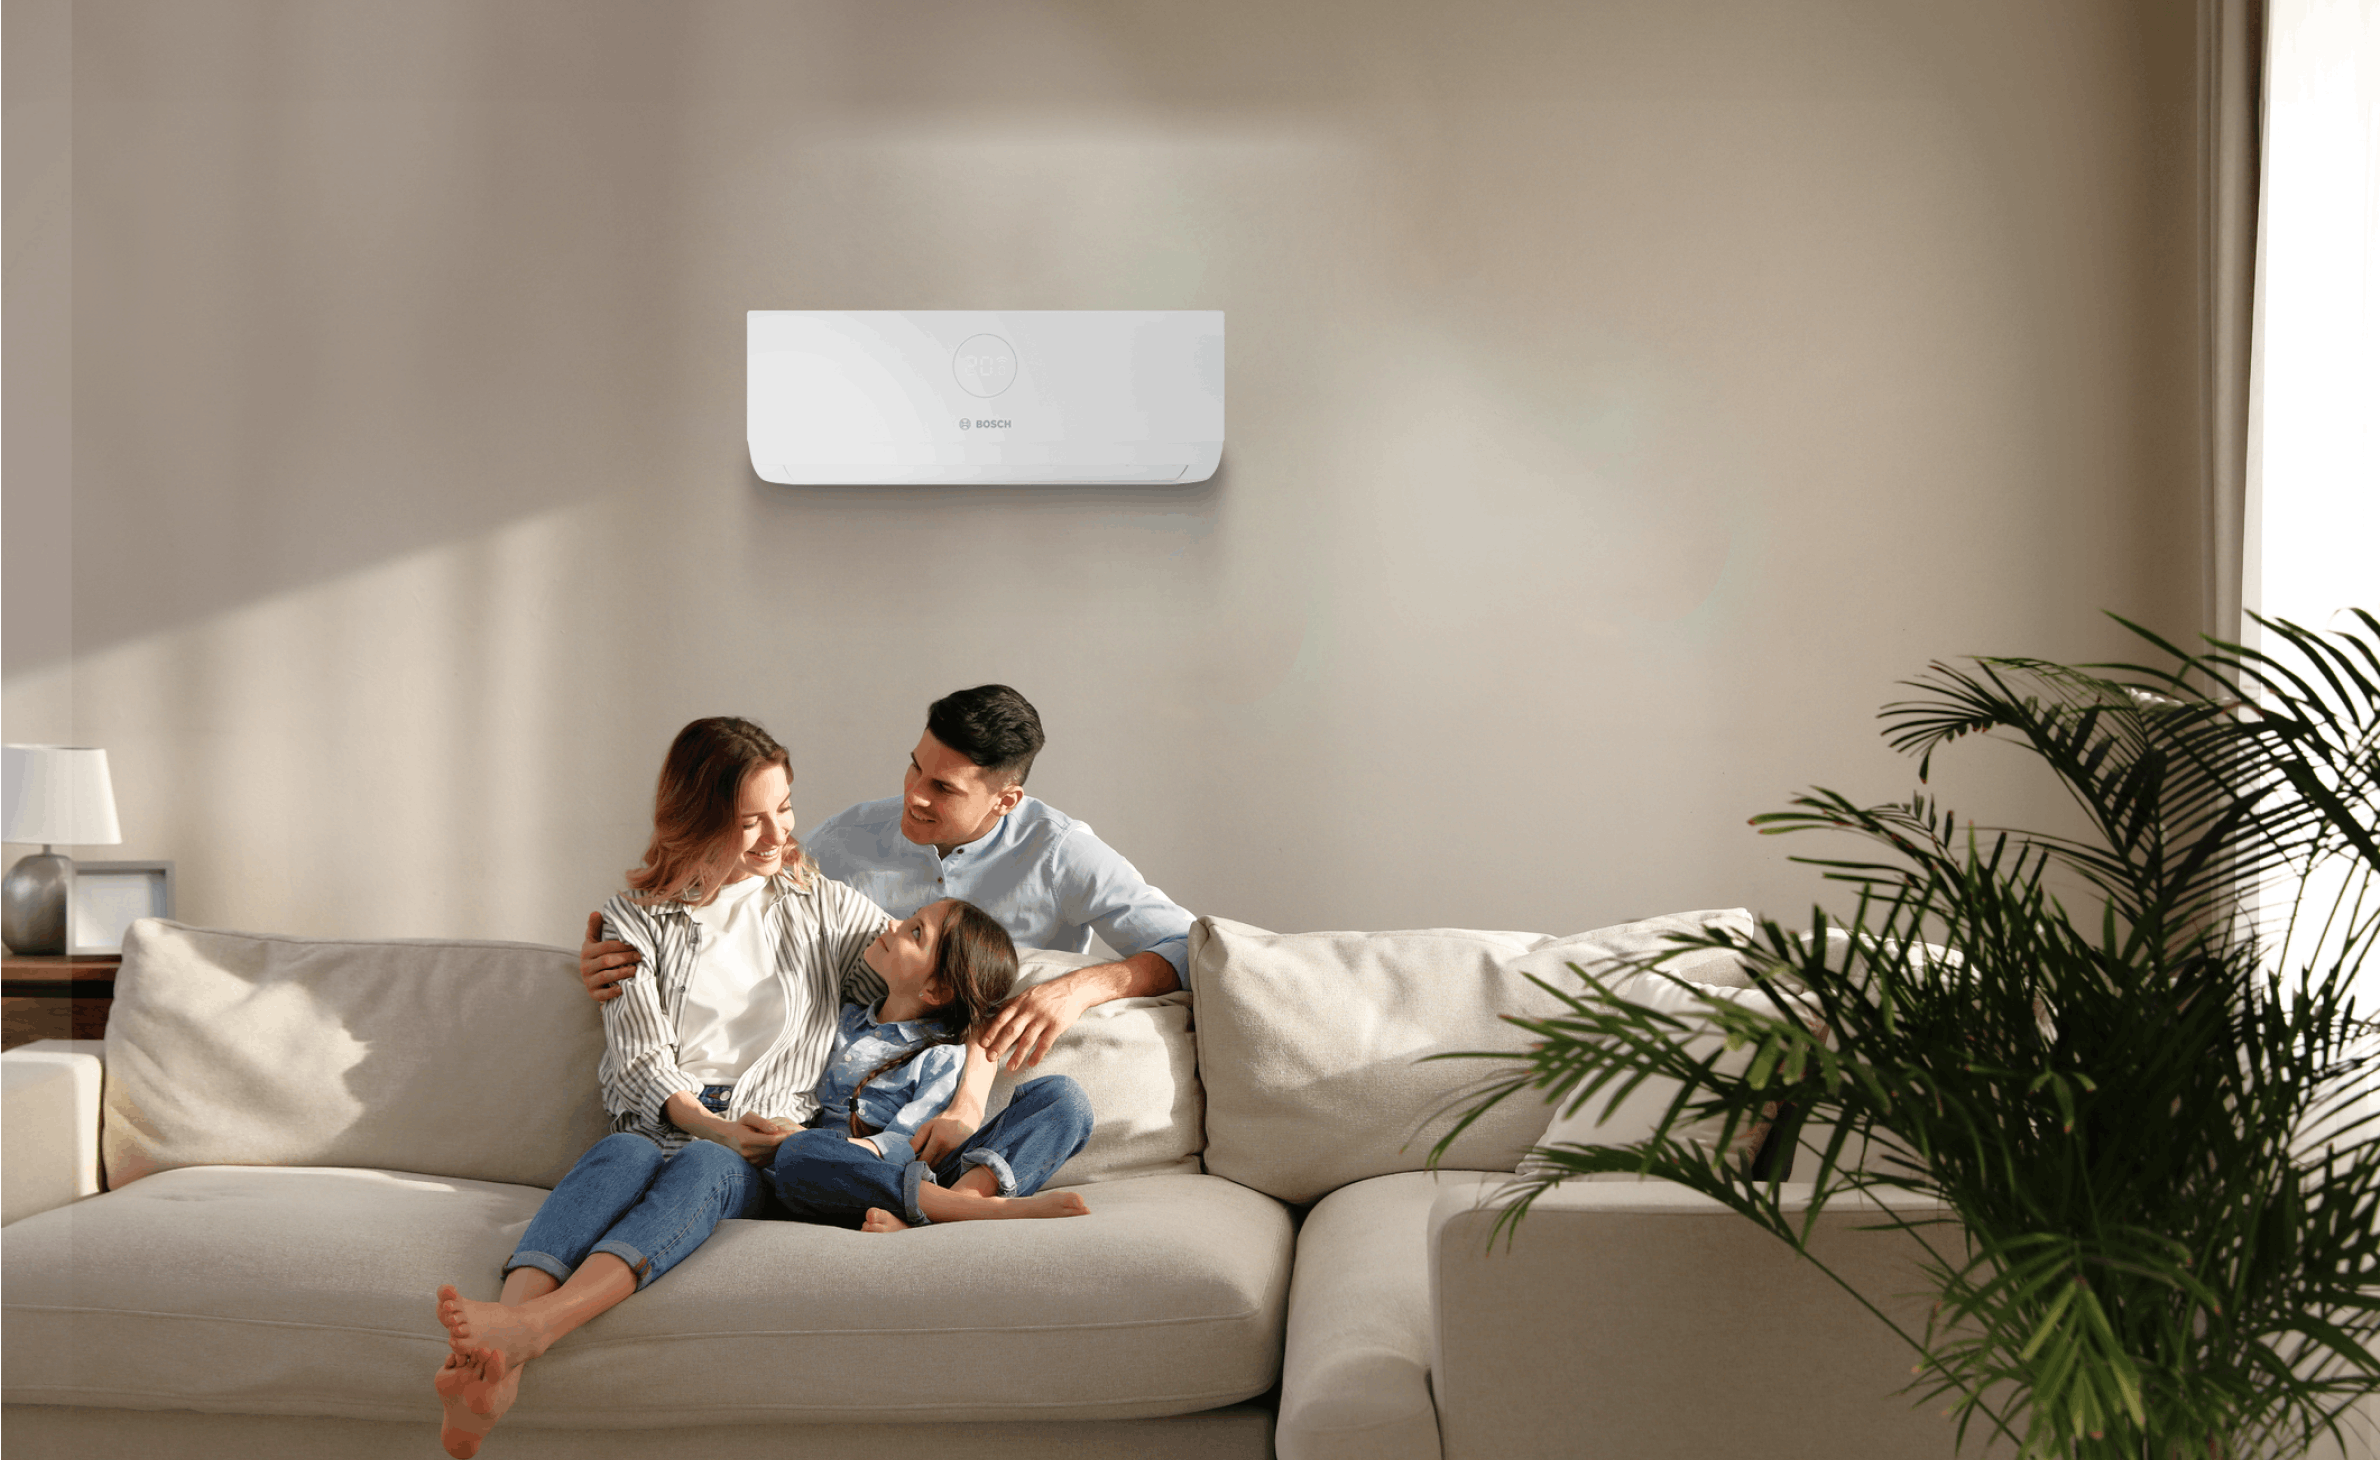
(246, 1049)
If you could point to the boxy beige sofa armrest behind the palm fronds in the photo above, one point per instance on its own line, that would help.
(1639, 1318)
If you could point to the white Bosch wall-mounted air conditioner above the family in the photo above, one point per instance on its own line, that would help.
(967, 397)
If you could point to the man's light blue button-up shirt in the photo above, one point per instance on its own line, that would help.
(1039, 873)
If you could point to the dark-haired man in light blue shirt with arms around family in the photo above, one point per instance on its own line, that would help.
(965, 828)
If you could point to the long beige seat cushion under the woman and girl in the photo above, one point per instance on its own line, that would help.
(311, 1292)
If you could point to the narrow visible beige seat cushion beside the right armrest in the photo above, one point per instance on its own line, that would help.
(1355, 1373)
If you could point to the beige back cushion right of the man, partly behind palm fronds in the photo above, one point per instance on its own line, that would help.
(1315, 1047)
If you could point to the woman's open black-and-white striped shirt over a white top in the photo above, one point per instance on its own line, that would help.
(815, 937)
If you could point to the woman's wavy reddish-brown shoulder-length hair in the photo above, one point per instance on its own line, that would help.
(696, 825)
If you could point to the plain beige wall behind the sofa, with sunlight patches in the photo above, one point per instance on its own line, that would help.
(1622, 401)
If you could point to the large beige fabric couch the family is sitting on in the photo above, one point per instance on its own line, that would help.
(306, 1137)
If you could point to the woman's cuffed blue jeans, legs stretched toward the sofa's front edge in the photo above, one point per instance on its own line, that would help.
(646, 1209)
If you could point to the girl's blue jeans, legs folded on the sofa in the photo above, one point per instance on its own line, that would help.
(822, 1178)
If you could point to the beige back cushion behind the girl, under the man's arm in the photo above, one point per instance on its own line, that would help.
(1136, 1063)
